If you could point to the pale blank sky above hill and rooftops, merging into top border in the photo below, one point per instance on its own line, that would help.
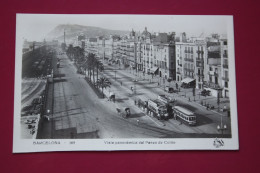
(34, 27)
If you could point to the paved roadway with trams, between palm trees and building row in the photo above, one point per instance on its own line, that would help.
(207, 121)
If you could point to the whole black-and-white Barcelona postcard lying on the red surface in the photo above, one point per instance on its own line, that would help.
(124, 82)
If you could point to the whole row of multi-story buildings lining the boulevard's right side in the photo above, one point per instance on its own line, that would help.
(202, 61)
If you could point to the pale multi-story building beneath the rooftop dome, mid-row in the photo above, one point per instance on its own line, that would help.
(158, 53)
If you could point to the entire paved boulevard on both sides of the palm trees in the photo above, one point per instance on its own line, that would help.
(79, 113)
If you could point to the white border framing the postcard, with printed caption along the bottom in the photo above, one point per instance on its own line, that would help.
(29, 145)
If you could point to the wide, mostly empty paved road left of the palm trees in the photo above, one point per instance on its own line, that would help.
(79, 113)
